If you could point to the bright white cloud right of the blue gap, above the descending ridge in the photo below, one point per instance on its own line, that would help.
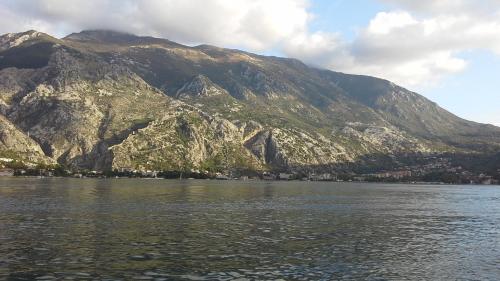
(414, 47)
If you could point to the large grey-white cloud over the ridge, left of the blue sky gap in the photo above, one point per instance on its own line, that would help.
(252, 24)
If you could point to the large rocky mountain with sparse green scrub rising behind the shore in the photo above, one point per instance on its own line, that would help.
(104, 100)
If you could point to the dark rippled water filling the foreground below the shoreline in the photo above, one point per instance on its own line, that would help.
(214, 230)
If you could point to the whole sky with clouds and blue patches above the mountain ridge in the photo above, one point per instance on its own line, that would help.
(446, 50)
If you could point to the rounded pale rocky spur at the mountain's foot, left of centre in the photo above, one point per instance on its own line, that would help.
(184, 140)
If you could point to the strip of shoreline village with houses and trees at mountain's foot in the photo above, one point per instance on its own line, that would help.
(439, 170)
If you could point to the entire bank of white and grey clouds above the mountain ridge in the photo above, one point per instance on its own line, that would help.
(413, 43)
